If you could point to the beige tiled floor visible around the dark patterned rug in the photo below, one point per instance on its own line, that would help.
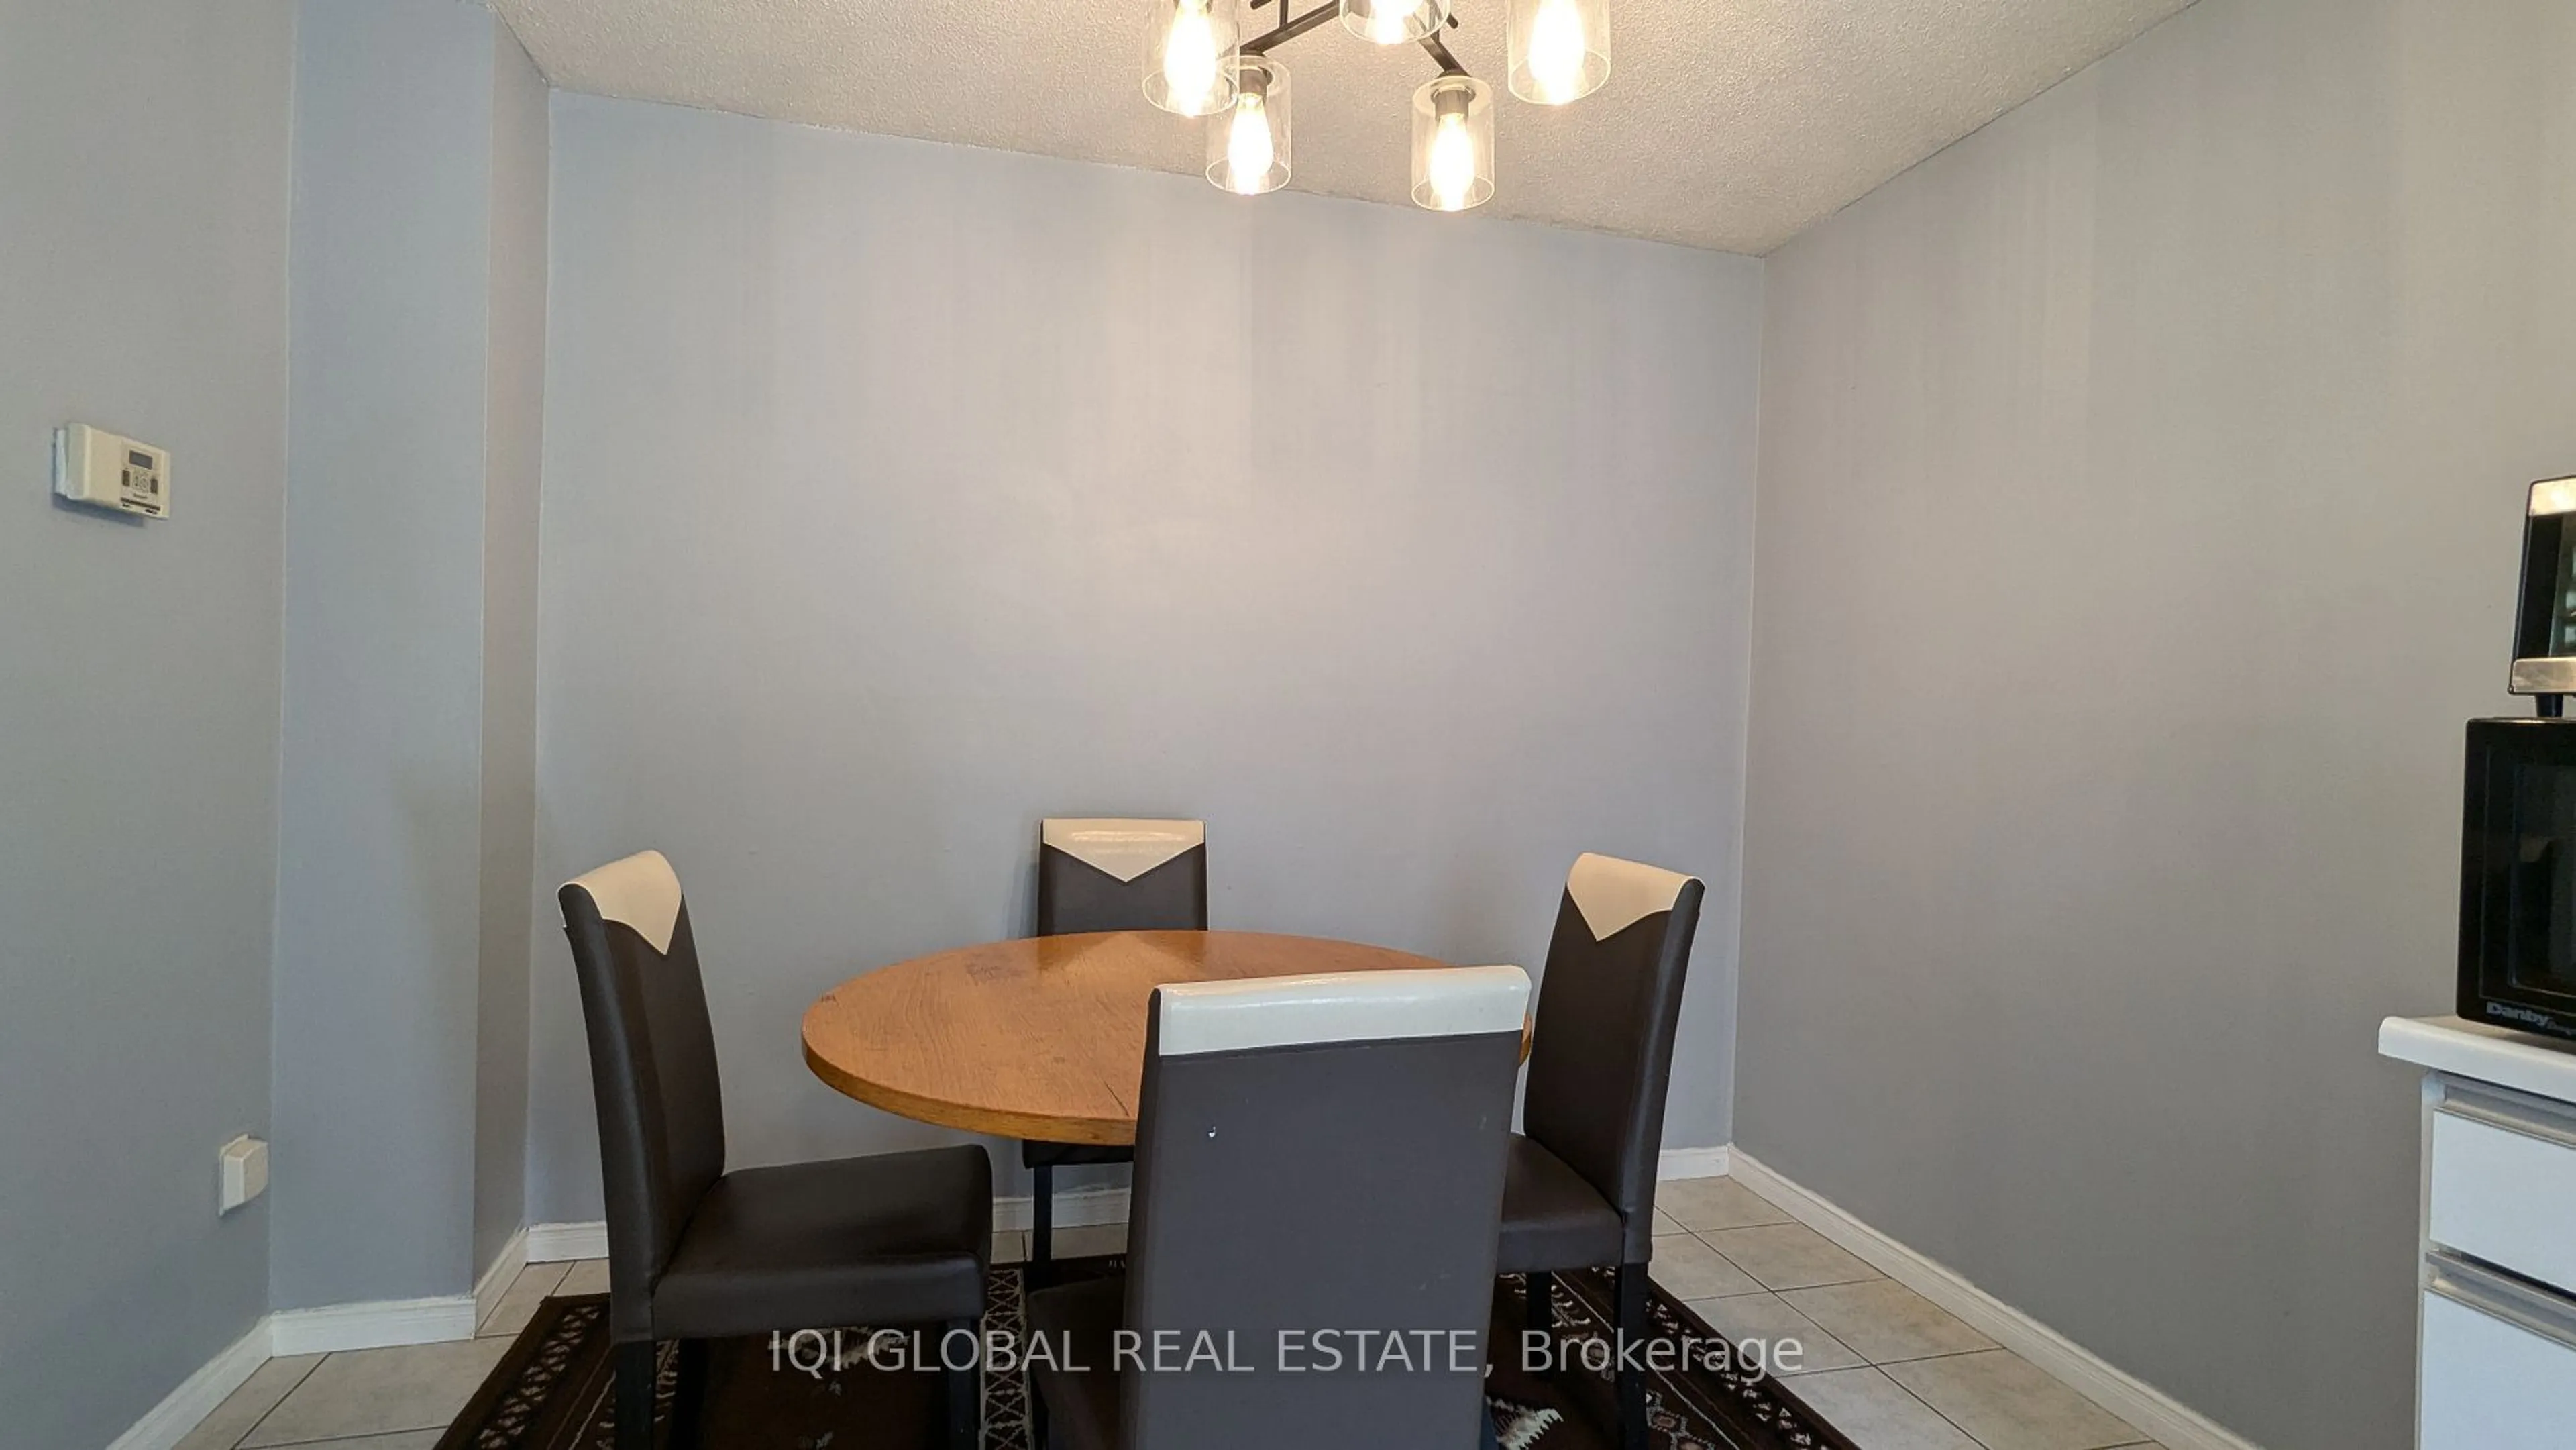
(1887, 1366)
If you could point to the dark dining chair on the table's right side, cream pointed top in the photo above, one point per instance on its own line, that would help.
(1580, 1186)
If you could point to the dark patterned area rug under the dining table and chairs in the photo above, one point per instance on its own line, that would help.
(555, 1387)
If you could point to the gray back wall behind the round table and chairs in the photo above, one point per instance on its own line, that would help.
(905, 493)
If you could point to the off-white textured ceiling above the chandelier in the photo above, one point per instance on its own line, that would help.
(1727, 125)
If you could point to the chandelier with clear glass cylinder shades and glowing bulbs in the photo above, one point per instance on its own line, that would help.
(1197, 63)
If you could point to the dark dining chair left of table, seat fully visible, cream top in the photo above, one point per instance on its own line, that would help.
(699, 1253)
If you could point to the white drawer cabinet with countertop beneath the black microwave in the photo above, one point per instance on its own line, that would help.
(2497, 1335)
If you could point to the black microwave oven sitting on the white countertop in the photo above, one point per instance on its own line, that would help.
(2518, 877)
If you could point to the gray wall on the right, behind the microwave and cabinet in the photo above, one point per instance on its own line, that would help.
(2139, 522)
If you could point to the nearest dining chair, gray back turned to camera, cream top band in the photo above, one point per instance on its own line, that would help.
(1312, 1155)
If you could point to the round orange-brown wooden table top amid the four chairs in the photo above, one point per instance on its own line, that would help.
(1037, 1039)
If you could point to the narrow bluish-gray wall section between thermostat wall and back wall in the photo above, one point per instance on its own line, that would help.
(406, 192)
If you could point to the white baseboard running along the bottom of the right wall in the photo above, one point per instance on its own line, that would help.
(2150, 1410)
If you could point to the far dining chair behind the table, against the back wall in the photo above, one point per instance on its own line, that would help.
(1109, 877)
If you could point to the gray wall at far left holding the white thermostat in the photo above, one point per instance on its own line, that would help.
(143, 287)
